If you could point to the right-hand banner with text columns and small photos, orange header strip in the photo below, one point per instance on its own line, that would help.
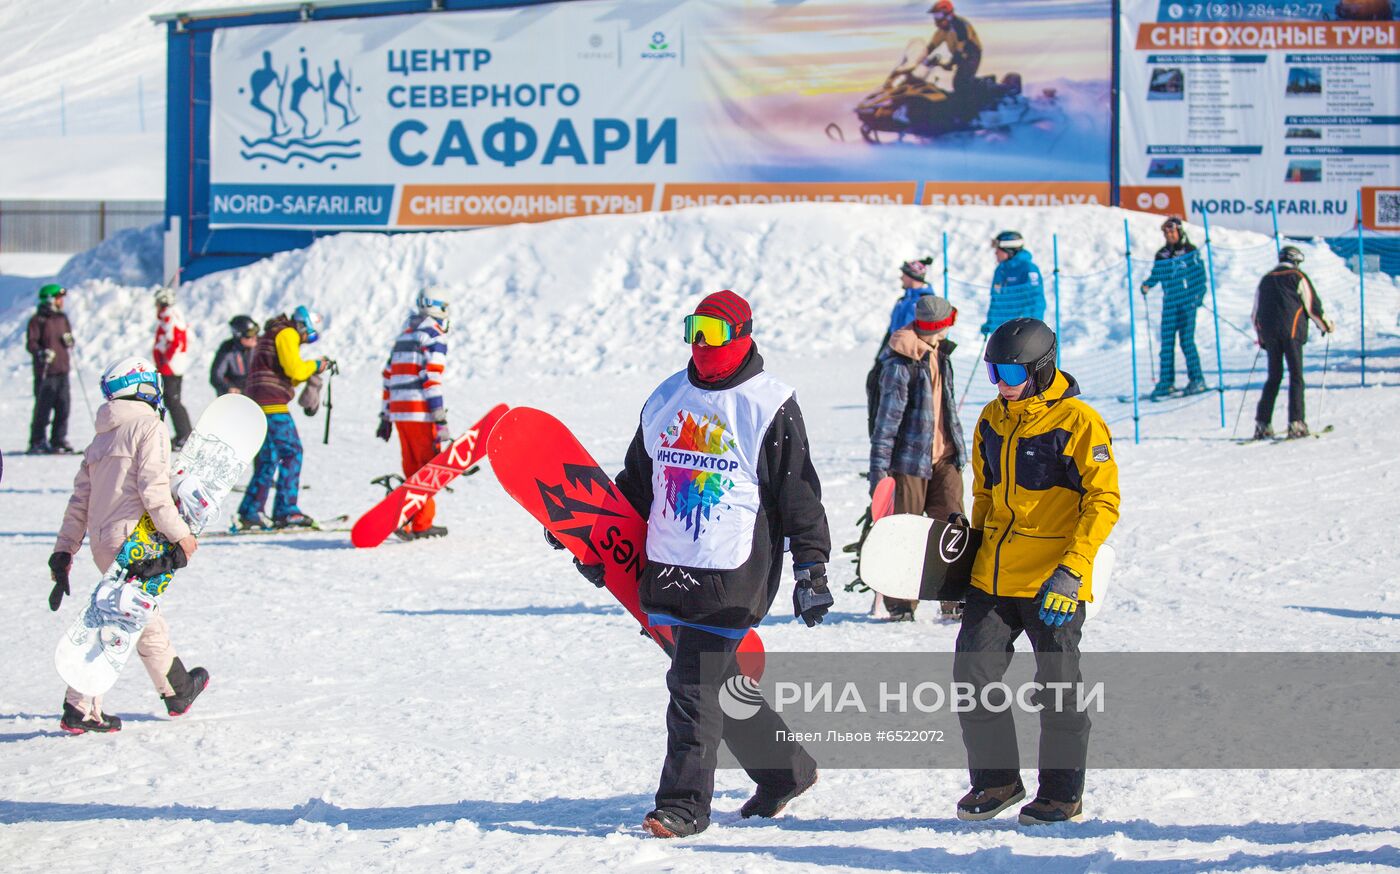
(1262, 110)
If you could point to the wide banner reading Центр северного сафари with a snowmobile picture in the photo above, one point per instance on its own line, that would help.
(475, 118)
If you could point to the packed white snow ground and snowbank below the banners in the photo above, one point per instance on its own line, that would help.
(474, 704)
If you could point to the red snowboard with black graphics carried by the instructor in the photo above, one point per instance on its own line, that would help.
(545, 469)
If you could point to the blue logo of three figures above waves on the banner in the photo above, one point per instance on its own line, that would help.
(299, 127)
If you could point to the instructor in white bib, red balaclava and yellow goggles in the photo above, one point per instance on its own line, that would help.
(715, 554)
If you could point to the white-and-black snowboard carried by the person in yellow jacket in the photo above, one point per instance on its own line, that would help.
(925, 560)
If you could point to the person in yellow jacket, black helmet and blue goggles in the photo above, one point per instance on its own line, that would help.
(1045, 498)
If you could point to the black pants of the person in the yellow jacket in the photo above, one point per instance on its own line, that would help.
(986, 641)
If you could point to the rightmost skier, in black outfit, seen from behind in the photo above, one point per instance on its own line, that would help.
(1284, 298)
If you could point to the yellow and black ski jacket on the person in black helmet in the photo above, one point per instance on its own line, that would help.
(1045, 491)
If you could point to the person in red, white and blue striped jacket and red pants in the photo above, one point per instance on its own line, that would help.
(414, 398)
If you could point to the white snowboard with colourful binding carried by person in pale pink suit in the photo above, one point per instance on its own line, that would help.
(92, 653)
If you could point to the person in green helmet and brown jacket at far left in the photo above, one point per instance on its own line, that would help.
(50, 341)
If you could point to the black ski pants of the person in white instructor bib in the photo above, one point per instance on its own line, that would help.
(696, 725)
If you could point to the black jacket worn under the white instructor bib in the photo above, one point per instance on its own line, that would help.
(790, 508)
